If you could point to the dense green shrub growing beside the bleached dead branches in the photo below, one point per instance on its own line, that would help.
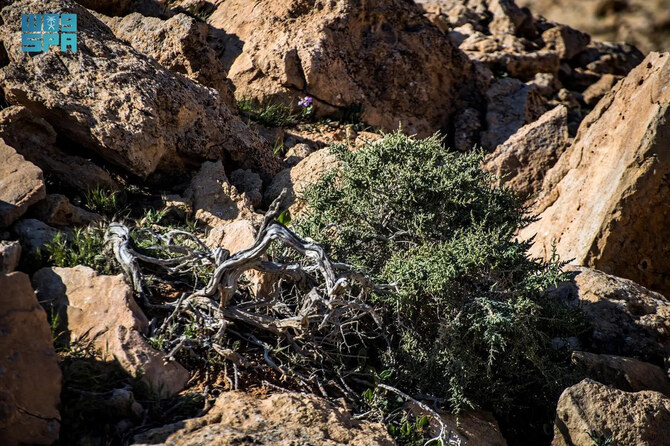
(469, 321)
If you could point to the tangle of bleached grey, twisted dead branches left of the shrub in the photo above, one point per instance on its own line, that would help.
(310, 332)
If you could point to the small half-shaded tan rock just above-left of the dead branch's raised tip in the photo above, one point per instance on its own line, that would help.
(215, 201)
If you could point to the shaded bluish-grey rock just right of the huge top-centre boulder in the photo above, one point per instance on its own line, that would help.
(510, 106)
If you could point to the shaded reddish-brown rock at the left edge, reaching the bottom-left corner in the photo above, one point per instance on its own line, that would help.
(31, 378)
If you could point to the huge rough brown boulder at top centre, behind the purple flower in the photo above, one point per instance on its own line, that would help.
(379, 55)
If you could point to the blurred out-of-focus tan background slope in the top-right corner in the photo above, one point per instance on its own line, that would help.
(640, 22)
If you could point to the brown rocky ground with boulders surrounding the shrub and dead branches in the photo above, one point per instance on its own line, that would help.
(183, 115)
